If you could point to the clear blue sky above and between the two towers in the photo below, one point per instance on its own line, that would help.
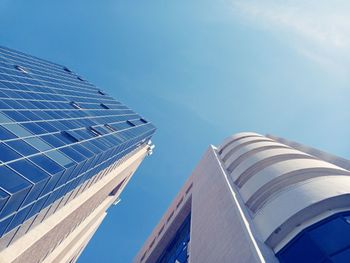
(200, 70)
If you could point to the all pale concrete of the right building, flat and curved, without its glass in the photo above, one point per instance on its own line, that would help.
(251, 196)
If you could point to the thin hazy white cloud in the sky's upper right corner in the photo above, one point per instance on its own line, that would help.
(318, 29)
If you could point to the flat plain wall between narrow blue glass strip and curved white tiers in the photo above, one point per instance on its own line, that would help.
(218, 231)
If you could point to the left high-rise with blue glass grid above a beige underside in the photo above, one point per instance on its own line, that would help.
(67, 150)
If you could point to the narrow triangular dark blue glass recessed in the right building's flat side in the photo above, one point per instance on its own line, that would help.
(177, 250)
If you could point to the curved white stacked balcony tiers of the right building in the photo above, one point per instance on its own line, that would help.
(285, 188)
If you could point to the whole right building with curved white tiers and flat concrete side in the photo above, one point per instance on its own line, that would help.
(257, 199)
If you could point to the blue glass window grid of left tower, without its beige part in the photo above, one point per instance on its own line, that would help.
(56, 131)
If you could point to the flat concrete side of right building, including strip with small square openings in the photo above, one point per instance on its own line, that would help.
(220, 230)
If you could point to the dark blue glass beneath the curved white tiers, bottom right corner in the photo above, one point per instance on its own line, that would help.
(325, 242)
